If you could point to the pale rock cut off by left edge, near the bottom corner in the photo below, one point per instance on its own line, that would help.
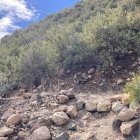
(5, 131)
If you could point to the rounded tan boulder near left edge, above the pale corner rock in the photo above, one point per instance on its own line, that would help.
(13, 120)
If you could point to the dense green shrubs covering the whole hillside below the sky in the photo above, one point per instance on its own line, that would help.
(94, 33)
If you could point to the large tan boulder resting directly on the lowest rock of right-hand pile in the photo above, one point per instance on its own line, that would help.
(126, 114)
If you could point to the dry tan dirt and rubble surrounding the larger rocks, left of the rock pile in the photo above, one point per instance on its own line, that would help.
(37, 110)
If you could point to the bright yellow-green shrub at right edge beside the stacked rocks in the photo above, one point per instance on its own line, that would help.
(133, 89)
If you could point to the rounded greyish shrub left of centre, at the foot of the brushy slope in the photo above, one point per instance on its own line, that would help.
(33, 67)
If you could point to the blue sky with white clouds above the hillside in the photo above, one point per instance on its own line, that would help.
(18, 14)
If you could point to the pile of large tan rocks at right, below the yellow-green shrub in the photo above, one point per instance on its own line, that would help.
(125, 114)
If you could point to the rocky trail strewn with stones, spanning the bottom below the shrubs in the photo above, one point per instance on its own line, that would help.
(64, 116)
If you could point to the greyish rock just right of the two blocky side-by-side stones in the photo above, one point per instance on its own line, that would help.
(117, 107)
